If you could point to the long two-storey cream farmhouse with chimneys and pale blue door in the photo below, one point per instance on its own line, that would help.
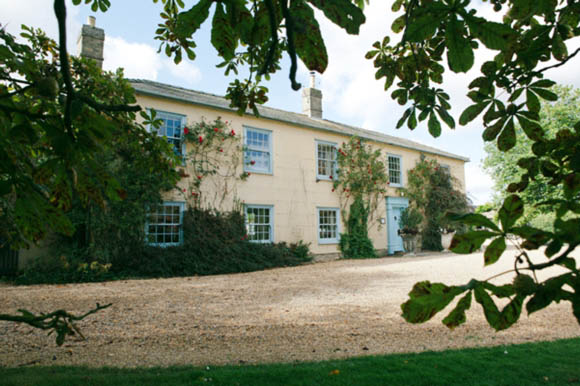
(291, 159)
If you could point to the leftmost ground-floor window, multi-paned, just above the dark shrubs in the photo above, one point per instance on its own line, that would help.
(164, 225)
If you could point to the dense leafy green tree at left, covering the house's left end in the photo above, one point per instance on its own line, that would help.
(60, 118)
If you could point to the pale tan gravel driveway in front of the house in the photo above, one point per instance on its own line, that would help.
(320, 311)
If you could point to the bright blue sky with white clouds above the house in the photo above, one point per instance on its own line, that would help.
(351, 95)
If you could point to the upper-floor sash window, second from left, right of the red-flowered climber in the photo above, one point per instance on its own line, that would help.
(258, 150)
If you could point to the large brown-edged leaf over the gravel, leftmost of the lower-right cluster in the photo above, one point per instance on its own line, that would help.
(426, 299)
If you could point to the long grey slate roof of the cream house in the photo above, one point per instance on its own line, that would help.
(156, 89)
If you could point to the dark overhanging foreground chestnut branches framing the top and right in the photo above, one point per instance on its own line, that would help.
(509, 91)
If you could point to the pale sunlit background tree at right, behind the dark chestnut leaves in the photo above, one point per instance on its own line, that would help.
(503, 166)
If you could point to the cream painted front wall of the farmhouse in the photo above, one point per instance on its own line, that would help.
(292, 188)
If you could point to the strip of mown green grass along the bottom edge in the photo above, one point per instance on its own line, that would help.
(545, 363)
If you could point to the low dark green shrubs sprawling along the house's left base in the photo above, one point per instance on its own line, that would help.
(214, 243)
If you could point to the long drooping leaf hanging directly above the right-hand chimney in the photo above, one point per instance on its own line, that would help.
(308, 39)
